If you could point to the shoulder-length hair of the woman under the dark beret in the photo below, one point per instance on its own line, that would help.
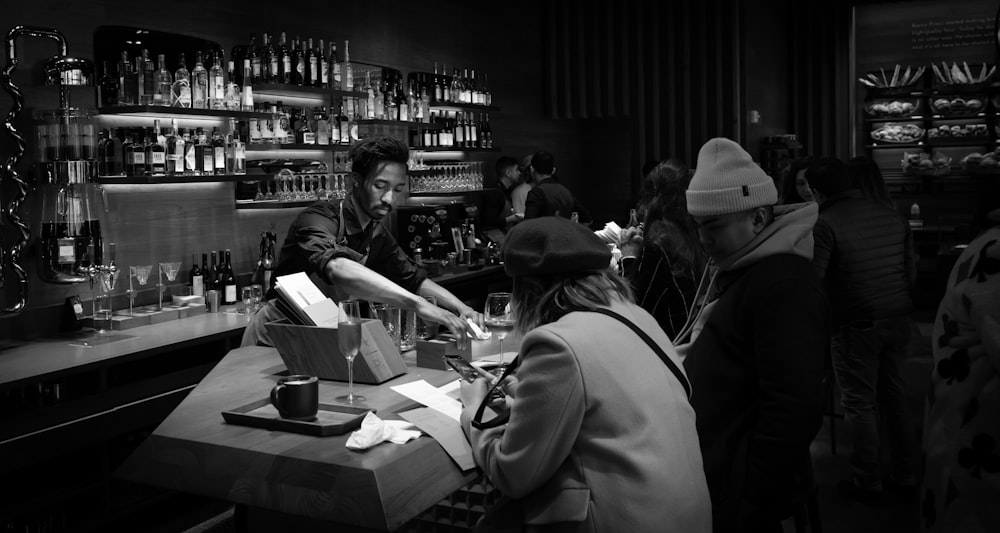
(545, 299)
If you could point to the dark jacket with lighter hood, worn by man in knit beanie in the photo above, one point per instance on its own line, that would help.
(756, 371)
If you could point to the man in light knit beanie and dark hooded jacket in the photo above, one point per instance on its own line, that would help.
(757, 361)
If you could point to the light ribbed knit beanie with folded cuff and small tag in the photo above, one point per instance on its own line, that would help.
(727, 180)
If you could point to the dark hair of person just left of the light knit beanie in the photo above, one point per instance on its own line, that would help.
(666, 223)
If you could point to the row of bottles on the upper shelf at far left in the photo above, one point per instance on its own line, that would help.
(142, 83)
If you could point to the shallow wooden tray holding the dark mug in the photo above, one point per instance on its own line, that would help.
(331, 419)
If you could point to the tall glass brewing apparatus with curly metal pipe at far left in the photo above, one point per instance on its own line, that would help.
(66, 165)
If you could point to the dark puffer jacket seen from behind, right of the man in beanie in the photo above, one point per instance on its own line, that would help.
(864, 254)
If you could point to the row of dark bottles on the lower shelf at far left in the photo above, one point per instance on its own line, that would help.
(179, 151)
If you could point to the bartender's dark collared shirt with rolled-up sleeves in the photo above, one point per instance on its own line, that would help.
(315, 238)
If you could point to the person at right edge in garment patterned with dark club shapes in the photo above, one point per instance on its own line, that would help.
(961, 483)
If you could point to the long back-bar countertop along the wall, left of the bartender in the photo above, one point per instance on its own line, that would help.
(50, 357)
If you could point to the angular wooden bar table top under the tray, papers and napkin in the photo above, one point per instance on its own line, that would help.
(194, 450)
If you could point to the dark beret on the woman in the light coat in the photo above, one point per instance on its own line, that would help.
(553, 245)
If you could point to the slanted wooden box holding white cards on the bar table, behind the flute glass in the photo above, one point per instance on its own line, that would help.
(313, 350)
